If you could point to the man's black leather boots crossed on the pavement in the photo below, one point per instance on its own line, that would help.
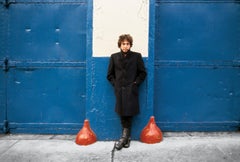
(124, 141)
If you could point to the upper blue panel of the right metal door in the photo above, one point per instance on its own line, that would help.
(197, 31)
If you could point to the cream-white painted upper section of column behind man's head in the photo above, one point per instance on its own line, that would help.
(112, 18)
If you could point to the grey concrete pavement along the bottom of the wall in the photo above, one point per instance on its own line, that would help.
(175, 147)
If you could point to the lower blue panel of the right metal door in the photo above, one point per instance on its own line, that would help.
(197, 95)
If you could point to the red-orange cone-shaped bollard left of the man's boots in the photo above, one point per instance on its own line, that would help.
(86, 136)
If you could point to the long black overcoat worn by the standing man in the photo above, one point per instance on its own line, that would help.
(126, 73)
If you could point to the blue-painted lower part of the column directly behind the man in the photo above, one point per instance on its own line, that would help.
(102, 102)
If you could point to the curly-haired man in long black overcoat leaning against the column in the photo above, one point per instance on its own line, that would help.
(126, 71)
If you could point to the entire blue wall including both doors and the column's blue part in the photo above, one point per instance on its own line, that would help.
(53, 83)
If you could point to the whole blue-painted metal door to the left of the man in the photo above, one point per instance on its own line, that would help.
(45, 46)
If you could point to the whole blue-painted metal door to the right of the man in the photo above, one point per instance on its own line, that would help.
(197, 74)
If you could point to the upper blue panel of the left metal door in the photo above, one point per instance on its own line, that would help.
(47, 31)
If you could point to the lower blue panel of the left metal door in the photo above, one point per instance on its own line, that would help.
(46, 96)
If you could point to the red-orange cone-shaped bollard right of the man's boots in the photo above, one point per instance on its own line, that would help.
(151, 133)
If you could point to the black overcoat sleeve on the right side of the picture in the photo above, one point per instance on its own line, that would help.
(141, 71)
